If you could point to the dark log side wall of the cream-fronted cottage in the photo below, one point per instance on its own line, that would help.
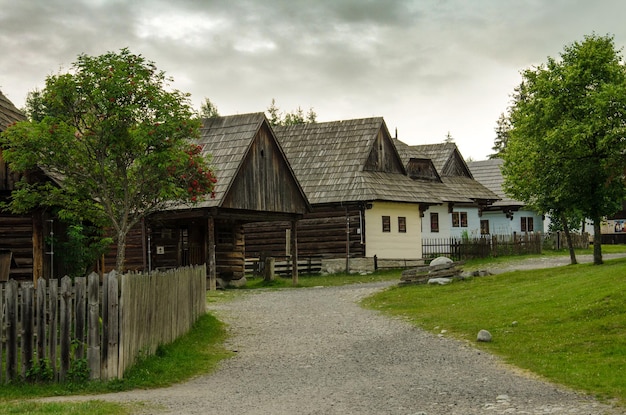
(320, 233)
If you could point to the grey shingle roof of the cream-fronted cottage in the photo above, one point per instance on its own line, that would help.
(330, 159)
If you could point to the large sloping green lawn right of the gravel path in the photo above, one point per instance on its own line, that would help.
(570, 322)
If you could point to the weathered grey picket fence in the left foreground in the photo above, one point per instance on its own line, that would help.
(100, 326)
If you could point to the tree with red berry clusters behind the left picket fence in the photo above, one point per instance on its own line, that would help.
(116, 138)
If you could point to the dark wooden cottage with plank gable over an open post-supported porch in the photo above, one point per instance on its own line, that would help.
(254, 183)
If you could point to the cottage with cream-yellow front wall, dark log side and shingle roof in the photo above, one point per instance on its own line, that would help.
(364, 205)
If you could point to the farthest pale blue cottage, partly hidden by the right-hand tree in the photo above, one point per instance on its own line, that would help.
(505, 216)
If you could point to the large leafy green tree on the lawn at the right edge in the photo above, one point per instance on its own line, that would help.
(566, 146)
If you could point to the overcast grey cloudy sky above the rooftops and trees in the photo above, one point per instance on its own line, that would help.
(428, 67)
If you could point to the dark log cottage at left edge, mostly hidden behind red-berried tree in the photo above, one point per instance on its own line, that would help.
(22, 250)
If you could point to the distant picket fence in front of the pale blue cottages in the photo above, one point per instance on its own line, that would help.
(459, 249)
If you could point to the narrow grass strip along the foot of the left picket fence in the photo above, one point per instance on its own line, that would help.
(195, 353)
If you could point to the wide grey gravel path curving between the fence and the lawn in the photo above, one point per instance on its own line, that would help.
(316, 351)
